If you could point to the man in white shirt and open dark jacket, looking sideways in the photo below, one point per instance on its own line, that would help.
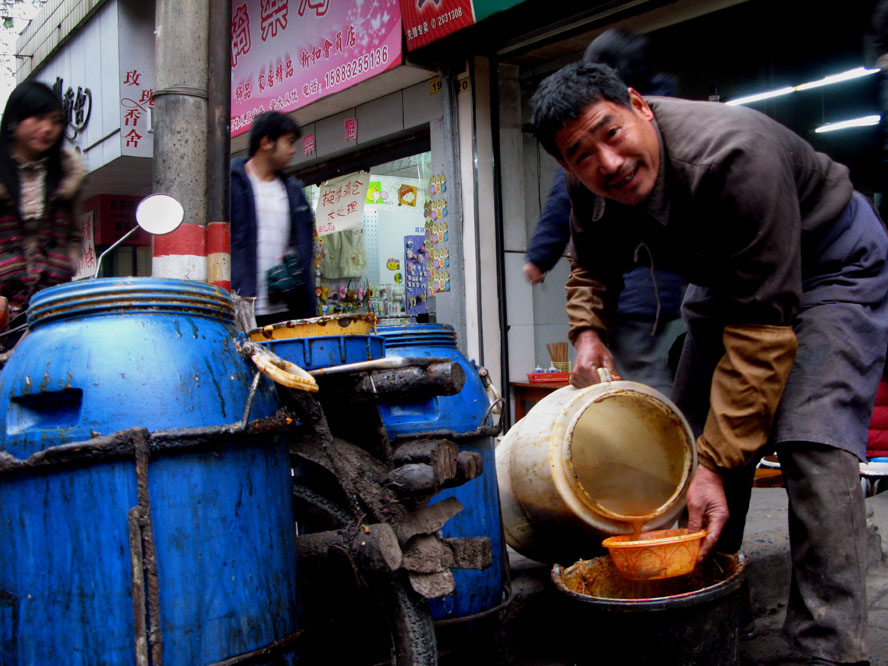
(270, 217)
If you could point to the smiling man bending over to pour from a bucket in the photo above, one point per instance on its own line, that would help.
(787, 310)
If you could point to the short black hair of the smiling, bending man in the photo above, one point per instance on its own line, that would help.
(564, 95)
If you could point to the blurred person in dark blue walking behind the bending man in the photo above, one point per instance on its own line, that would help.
(648, 319)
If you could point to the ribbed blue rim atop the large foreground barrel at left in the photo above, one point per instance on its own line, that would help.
(157, 295)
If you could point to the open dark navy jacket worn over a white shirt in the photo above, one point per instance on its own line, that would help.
(244, 234)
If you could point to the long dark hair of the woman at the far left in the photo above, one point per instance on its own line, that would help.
(29, 99)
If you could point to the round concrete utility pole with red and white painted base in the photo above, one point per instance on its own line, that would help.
(180, 133)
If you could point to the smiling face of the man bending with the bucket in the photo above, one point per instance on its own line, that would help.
(613, 150)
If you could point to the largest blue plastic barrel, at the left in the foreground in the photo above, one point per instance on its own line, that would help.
(103, 356)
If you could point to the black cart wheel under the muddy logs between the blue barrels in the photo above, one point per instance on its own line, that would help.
(361, 614)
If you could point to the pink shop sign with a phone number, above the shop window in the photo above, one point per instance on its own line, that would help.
(286, 54)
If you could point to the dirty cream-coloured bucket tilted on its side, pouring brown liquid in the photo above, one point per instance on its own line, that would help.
(584, 461)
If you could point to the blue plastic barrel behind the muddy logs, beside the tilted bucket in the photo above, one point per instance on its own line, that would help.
(463, 417)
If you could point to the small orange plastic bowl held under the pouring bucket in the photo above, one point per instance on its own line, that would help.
(659, 554)
